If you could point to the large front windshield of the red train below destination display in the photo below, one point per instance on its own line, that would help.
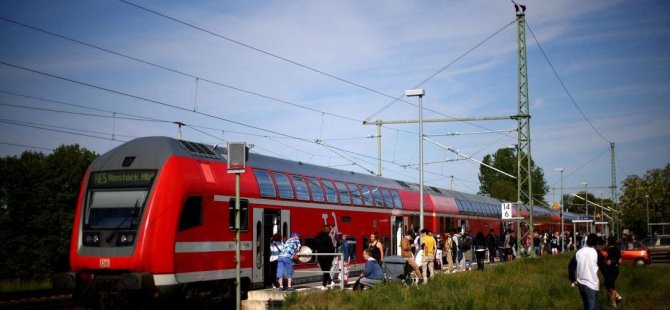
(115, 209)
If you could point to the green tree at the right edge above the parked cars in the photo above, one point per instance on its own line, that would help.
(653, 188)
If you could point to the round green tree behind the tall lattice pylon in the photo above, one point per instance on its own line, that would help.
(498, 185)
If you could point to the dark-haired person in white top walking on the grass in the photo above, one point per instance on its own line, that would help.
(583, 271)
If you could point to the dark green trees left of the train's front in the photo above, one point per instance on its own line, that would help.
(38, 194)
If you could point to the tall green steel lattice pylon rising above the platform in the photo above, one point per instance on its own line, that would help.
(524, 172)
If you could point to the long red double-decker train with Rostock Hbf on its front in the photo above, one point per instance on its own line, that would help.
(154, 217)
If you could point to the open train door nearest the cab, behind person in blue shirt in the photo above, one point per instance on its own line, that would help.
(267, 222)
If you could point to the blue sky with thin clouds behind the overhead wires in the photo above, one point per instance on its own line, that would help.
(613, 56)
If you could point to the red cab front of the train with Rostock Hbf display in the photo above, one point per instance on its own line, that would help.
(112, 237)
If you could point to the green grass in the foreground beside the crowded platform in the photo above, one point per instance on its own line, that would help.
(523, 284)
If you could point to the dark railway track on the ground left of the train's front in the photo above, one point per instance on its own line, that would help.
(41, 299)
